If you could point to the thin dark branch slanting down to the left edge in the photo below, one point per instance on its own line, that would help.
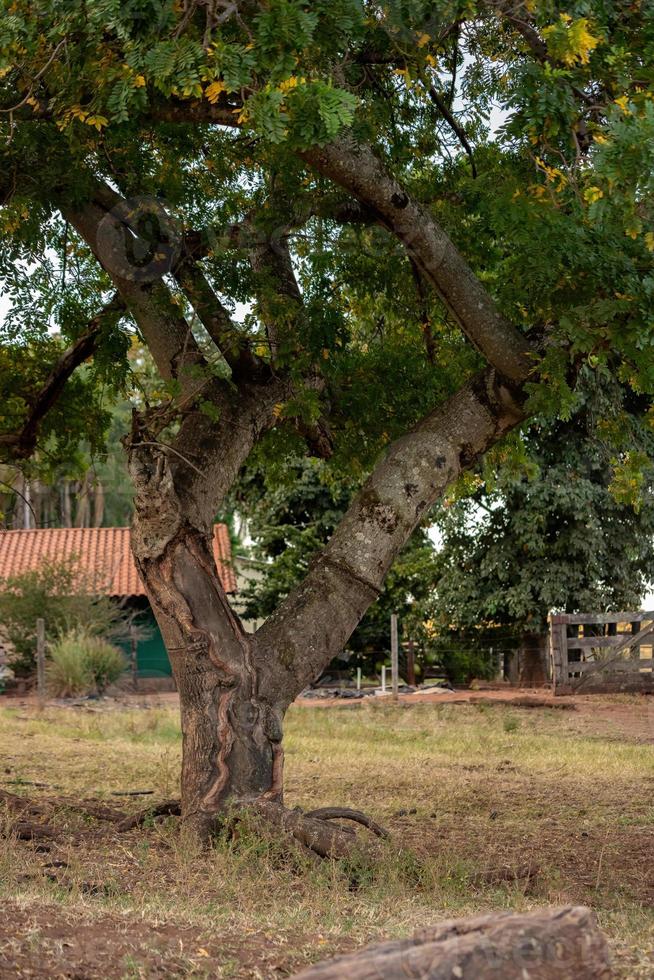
(21, 445)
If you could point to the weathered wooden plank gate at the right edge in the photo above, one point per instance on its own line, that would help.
(593, 653)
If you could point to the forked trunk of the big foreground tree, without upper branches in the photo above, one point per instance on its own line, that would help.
(234, 687)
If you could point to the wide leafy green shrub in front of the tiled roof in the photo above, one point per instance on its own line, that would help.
(62, 595)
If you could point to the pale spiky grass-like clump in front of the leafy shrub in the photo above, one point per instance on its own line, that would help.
(81, 664)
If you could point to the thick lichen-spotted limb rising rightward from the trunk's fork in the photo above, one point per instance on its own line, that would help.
(313, 624)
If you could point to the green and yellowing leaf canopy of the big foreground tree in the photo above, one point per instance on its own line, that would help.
(557, 223)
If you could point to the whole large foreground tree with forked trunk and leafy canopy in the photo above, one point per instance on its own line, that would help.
(163, 162)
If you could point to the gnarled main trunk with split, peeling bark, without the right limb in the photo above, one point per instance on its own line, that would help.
(231, 736)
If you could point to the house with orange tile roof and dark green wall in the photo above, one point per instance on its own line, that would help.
(104, 555)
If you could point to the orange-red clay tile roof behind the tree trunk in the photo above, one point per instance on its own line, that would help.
(103, 552)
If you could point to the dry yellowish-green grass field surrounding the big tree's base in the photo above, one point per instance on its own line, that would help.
(489, 808)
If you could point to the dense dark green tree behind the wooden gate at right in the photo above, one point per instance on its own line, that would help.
(555, 534)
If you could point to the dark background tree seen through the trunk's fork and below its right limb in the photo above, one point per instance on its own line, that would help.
(291, 518)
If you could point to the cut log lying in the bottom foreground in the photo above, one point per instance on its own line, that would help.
(549, 944)
